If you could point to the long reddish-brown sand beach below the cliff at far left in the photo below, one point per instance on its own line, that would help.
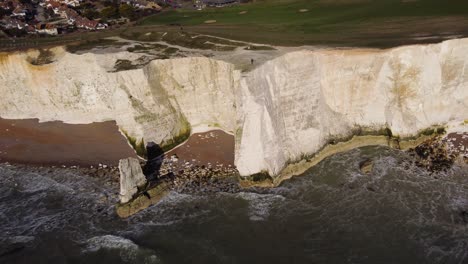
(56, 143)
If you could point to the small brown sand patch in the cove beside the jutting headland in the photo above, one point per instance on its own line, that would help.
(213, 148)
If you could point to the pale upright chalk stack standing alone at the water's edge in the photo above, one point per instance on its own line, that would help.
(131, 178)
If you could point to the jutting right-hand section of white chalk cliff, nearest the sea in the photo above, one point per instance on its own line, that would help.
(295, 104)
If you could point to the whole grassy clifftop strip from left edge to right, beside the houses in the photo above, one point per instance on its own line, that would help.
(350, 23)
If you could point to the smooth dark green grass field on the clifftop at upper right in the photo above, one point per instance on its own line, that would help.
(335, 22)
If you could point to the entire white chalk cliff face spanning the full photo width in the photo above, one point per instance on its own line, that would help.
(286, 108)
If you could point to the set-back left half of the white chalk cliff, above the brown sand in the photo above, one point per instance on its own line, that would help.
(156, 103)
